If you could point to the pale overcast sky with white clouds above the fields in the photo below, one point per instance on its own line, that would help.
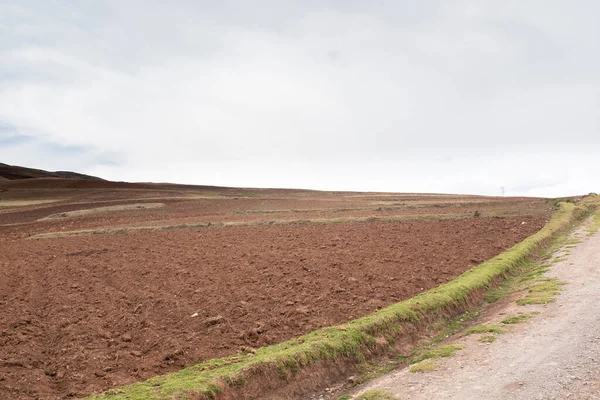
(454, 96)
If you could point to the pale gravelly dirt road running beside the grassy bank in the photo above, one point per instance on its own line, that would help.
(555, 355)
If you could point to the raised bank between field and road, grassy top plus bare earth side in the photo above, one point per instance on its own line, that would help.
(326, 353)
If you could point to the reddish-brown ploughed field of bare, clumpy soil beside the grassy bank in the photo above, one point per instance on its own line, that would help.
(81, 314)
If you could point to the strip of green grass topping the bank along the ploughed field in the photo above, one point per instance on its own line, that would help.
(354, 340)
